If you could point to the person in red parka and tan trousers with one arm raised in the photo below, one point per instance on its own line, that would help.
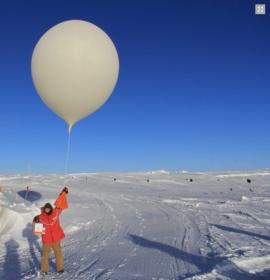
(53, 232)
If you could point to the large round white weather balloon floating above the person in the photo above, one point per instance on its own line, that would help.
(74, 69)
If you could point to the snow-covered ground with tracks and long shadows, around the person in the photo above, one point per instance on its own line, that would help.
(215, 227)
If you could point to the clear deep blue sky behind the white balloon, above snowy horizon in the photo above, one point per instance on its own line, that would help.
(193, 90)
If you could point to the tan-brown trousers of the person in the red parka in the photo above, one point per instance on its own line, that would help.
(46, 253)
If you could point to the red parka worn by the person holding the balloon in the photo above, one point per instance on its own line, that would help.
(53, 231)
